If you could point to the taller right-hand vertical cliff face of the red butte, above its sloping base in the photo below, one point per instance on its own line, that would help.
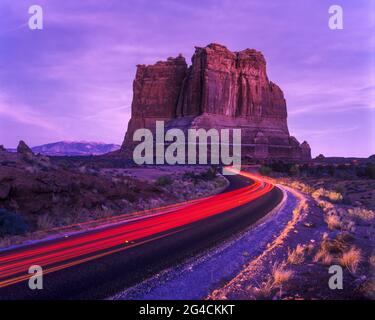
(233, 84)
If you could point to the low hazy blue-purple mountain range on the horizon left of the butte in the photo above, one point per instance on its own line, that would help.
(74, 148)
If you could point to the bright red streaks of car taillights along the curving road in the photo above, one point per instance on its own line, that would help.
(66, 252)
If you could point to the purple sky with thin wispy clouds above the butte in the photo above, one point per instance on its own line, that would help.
(73, 80)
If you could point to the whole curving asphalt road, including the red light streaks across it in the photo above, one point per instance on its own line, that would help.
(101, 262)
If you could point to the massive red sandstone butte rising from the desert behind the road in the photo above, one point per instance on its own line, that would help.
(221, 89)
